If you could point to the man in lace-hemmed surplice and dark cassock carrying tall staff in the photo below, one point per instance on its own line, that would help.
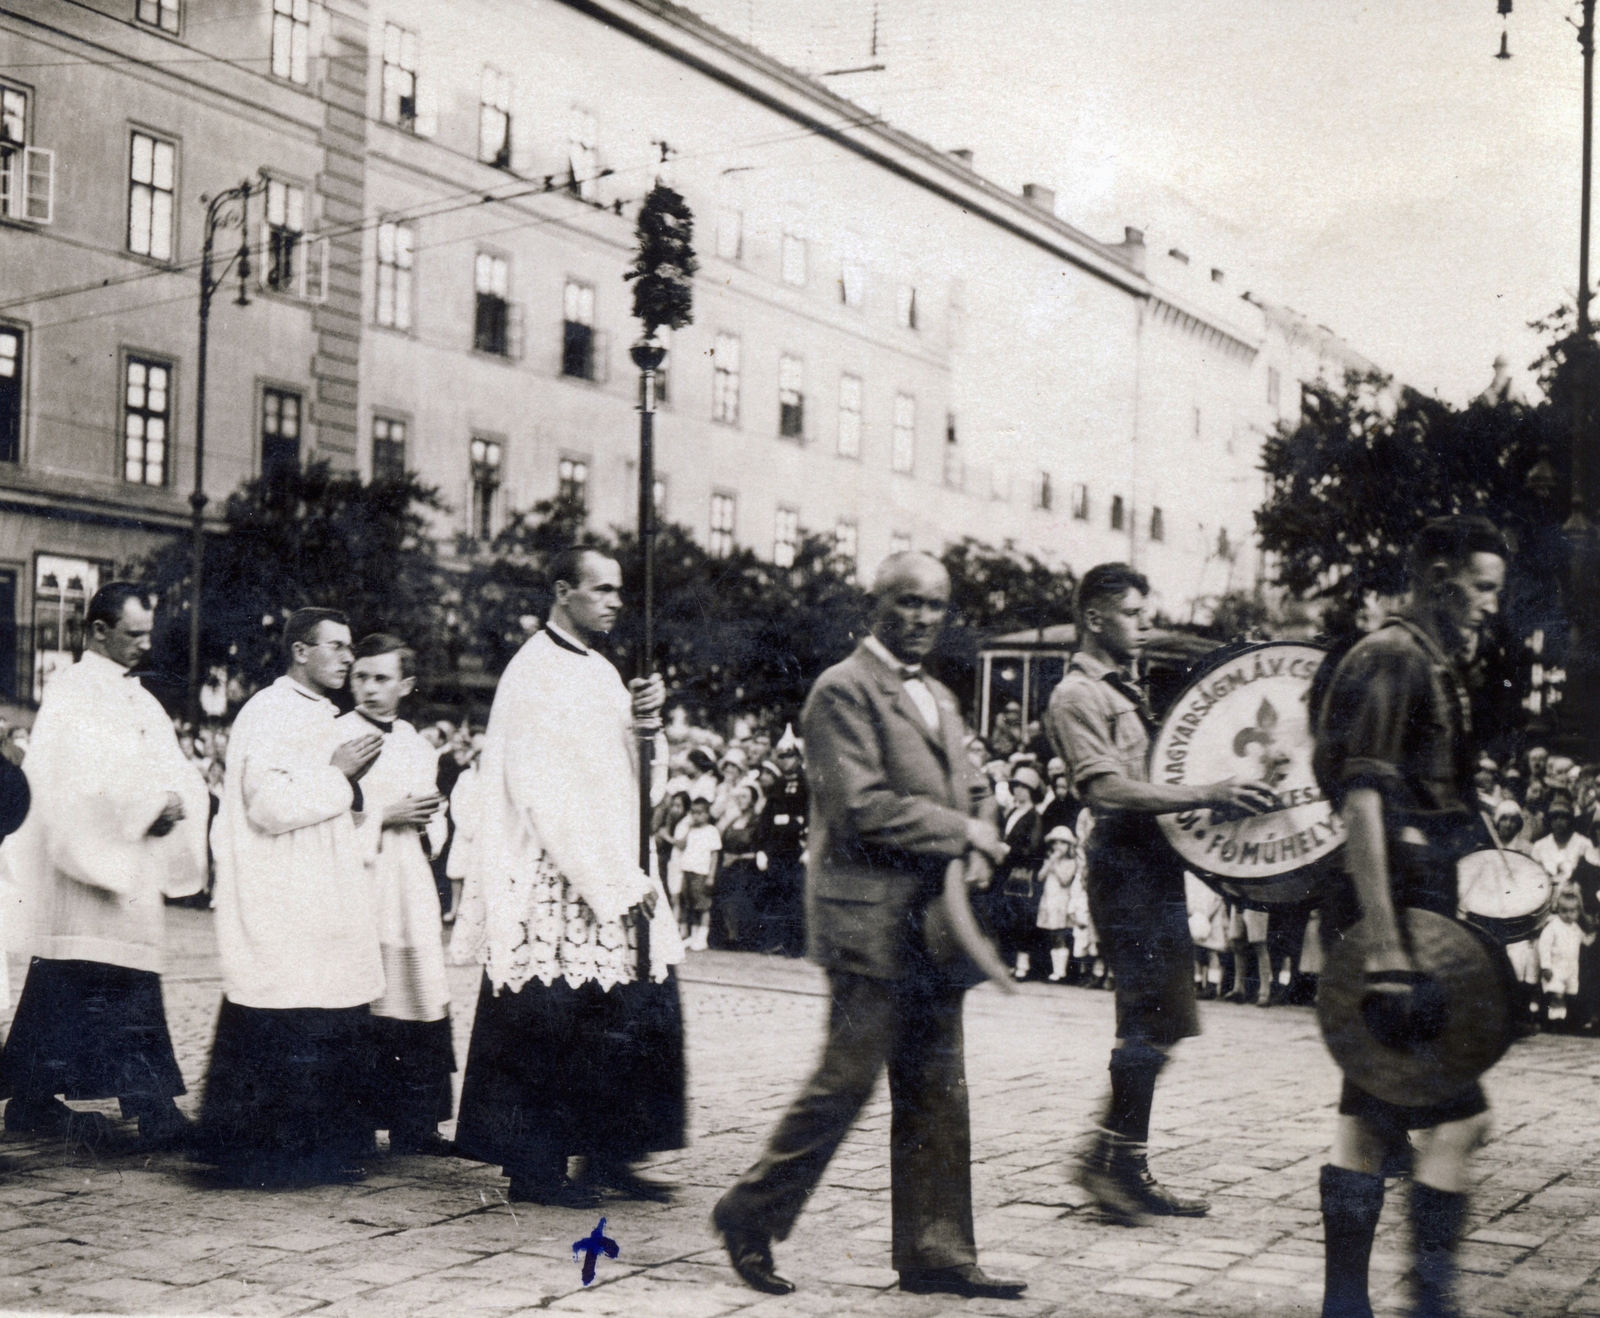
(577, 1048)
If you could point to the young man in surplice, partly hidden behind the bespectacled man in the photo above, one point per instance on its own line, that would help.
(414, 1052)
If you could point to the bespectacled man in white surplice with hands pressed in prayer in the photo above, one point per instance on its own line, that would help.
(297, 927)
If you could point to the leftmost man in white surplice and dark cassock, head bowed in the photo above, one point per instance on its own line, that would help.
(118, 823)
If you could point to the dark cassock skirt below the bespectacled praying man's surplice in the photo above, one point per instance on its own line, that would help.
(289, 1092)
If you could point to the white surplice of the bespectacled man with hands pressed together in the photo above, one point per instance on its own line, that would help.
(297, 919)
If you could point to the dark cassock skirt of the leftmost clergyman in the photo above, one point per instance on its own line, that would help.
(90, 1031)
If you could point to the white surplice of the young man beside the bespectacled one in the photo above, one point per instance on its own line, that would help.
(409, 917)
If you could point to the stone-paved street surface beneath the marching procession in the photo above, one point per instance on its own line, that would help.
(1244, 1116)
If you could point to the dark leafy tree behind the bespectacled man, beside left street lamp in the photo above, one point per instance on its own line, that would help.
(305, 537)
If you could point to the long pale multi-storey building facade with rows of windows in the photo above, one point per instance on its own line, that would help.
(887, 348)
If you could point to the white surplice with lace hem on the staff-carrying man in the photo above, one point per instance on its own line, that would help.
(554, 861)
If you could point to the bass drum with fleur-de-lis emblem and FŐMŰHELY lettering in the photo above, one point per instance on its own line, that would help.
(1247, 716)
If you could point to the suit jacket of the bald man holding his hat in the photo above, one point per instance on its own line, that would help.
(890, 802)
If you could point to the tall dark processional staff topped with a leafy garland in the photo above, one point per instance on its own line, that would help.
(663, 295)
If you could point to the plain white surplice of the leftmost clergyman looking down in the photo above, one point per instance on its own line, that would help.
(86, 876)
